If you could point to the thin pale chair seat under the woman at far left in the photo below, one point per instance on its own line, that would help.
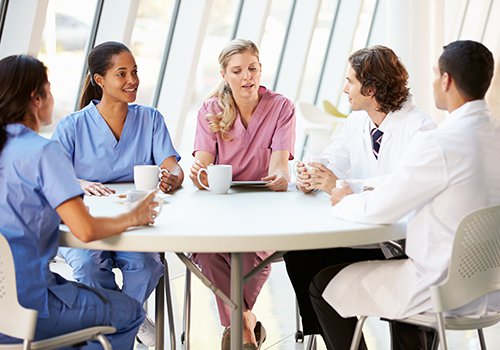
(64, 340)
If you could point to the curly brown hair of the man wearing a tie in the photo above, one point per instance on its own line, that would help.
(379, 68)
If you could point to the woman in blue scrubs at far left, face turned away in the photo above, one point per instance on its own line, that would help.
(38, 188)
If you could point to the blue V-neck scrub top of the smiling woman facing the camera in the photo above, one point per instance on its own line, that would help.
(98, 156)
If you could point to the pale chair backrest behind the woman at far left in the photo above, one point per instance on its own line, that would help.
(15, 320)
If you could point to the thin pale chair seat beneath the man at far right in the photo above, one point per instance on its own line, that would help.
(453, 323)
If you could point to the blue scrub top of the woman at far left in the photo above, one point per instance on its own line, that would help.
(36, 176)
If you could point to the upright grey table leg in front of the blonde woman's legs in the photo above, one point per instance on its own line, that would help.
(237, 297)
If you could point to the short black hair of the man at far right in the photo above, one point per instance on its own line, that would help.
(470, 64)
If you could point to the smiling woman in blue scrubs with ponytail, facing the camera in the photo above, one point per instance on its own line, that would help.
(104, 140)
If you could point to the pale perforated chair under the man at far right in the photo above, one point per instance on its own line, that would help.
(474, 272)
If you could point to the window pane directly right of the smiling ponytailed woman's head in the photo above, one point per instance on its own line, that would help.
(148, 43)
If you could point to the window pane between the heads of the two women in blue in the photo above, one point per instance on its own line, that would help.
(65, 35)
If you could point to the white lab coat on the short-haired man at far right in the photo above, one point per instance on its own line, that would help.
(447, 173)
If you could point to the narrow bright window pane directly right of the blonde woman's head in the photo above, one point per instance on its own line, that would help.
(272, 41)
